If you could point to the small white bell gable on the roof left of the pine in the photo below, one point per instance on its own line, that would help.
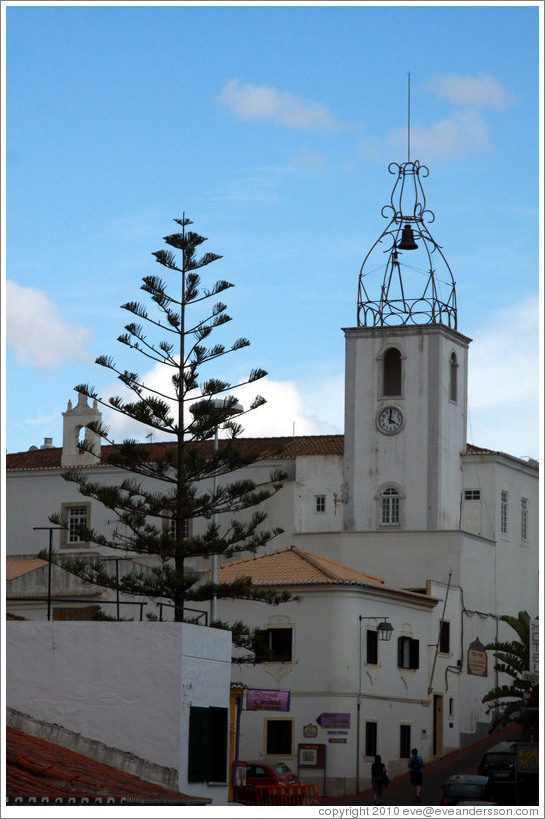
(74, 426)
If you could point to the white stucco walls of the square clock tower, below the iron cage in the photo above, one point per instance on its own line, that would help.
(423, 459)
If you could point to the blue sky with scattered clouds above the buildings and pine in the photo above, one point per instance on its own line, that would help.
(272, 127)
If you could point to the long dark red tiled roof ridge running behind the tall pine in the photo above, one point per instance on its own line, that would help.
(264, 448)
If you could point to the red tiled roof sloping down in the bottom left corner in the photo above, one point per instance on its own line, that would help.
(38, 772)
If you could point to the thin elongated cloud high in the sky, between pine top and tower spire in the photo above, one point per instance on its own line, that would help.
(266, 104)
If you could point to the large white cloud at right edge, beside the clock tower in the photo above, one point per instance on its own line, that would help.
(504, 382)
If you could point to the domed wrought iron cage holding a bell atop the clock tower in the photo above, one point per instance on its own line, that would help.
(408, 294)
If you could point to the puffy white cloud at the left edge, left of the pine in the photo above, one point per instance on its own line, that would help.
(36, 332)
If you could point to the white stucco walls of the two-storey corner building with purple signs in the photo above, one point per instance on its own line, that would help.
(324, 677)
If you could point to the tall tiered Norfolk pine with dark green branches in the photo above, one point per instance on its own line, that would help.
(191, 480)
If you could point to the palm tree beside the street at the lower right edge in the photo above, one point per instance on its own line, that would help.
(518, 701)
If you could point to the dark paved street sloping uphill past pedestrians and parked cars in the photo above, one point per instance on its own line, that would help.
(400, 792)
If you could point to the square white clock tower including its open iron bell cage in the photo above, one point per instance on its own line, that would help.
(406, 377)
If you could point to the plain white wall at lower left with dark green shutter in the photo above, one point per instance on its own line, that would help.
(127, 685)
